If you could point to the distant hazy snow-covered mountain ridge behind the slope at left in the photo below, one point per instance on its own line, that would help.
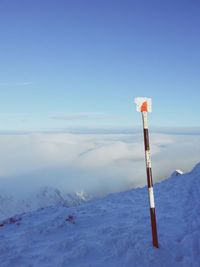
(45, 197)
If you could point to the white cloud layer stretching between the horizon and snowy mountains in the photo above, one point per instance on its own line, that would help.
(95, 163)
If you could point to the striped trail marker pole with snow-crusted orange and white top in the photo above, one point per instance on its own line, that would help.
(144, 106)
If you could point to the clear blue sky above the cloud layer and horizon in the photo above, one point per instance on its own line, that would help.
(81, 63)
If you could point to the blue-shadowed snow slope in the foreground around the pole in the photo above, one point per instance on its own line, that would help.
(114, 231)
